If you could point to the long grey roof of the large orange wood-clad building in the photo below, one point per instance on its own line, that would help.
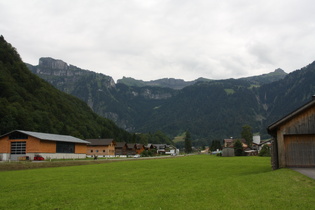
(50, 137)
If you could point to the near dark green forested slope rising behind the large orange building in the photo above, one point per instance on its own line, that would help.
(27, 102)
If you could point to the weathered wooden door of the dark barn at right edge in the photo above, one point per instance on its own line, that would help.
(300, 151)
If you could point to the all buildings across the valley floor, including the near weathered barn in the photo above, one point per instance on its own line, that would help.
(292, 142)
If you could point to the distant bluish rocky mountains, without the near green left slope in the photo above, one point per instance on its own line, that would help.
(209, 109)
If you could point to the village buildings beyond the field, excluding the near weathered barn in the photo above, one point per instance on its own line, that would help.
(26, 145)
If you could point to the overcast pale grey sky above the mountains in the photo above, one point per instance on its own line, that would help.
(153, 39)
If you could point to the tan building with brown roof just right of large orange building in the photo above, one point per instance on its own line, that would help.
(101, 147)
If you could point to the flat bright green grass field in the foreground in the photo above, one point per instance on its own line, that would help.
(190, 182)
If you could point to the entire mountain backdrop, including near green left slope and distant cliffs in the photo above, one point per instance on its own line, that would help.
(208, 109)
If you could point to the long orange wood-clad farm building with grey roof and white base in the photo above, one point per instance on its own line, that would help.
(26, 143)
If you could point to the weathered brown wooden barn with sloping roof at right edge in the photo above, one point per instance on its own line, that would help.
(293, 142)
